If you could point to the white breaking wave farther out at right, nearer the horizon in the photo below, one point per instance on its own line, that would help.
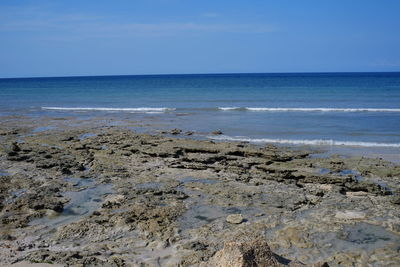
(311, 109)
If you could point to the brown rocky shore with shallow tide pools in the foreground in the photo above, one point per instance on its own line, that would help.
(107, 195)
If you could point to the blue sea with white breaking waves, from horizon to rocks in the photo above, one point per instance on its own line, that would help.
(347, 111)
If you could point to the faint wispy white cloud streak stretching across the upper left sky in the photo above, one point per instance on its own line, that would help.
(106, 26)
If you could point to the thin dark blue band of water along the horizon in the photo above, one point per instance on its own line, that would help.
(205, 73)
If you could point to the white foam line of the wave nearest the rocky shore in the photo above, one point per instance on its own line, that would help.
(320, 142)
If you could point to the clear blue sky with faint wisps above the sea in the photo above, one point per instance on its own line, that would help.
(40, 38)
